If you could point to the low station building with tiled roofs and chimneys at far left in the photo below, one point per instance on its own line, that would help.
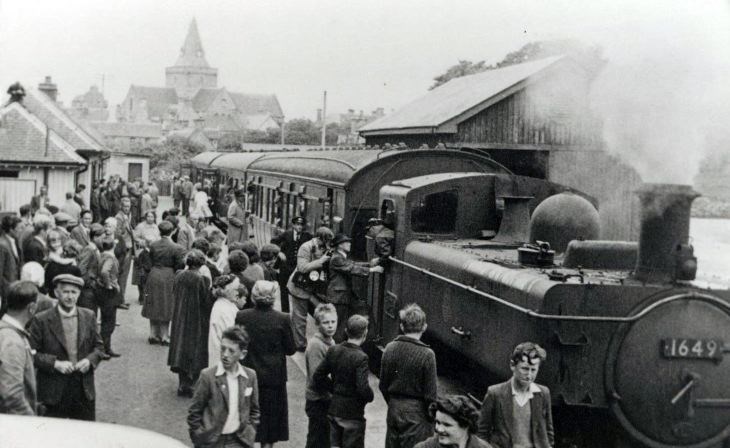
(41, 145)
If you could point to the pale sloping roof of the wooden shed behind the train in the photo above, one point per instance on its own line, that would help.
(431, 112)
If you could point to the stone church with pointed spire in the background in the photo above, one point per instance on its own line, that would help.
(192, 99)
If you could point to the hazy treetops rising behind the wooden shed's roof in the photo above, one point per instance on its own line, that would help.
(528, 52)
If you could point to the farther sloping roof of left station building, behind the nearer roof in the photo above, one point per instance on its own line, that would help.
(51, 114)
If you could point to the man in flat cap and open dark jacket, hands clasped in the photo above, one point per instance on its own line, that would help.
(68, 350)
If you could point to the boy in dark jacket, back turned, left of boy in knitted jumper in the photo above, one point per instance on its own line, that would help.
(344, 372)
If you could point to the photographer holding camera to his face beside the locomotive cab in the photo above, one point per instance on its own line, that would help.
(308, 282)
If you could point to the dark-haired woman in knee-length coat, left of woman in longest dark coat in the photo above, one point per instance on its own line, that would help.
(166, 257)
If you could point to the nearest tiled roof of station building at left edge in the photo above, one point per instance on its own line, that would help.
(23, 139)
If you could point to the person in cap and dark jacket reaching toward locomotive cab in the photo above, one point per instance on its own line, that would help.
(339, 288)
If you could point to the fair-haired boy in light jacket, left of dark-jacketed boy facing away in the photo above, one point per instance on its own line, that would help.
(317, 405)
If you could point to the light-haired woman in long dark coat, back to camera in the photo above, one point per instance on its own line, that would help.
(271, 341)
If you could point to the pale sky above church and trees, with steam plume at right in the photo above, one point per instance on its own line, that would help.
(666, 82)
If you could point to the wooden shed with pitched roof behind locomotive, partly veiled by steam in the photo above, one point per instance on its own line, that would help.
(534, 118)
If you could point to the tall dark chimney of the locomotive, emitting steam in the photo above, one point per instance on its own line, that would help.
(664, 252)
